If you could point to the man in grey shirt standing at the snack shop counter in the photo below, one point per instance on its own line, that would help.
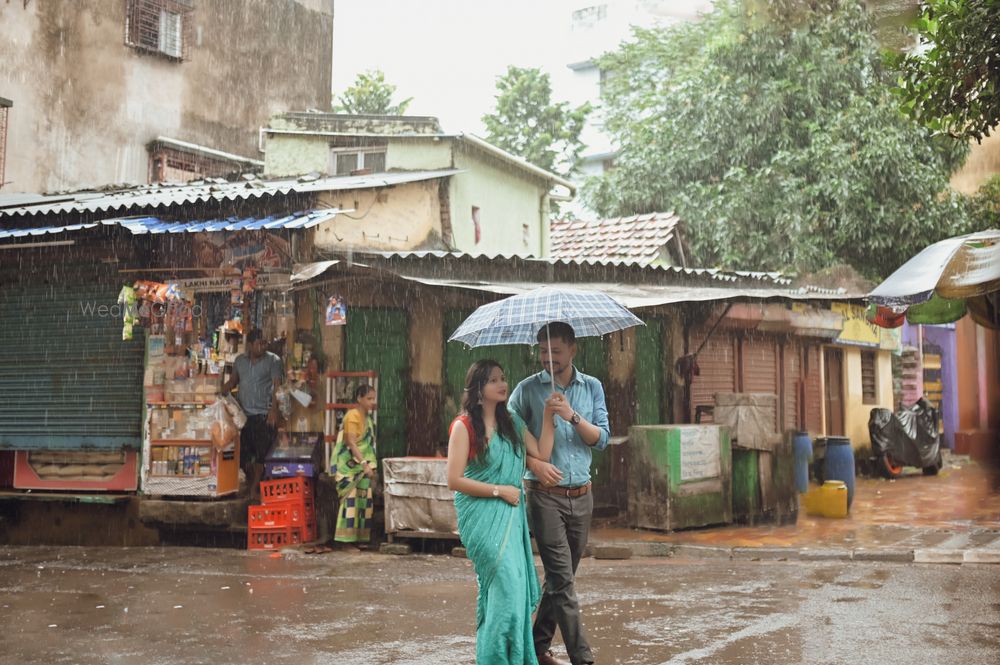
(257, 374)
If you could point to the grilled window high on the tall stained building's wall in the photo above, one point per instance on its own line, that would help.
(159, 26)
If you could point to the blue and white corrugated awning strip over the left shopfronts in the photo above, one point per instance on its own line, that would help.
(143, 225)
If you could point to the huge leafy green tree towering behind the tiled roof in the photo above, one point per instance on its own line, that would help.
(770, 129)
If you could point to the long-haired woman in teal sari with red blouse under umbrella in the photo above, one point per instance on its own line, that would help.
(486, 461)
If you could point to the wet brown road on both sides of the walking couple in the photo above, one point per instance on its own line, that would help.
(161, 606)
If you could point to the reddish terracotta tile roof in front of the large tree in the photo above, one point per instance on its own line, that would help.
(639, 238)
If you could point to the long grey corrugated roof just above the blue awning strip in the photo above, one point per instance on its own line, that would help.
(154, 196)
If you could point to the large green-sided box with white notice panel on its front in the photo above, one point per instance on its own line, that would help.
(681, 476)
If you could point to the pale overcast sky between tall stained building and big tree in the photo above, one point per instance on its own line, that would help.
(447, 54)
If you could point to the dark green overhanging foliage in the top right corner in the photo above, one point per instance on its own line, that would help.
(954, 85)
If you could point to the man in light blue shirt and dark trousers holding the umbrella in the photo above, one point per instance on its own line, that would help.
(560, 502)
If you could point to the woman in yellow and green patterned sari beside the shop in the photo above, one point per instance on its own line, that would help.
(355, 462)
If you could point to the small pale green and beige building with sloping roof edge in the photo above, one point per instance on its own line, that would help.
(493, 203)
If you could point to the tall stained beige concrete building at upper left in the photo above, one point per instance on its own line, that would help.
(134, 91)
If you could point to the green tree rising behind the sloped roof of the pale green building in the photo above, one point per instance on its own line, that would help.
(527, 123)
